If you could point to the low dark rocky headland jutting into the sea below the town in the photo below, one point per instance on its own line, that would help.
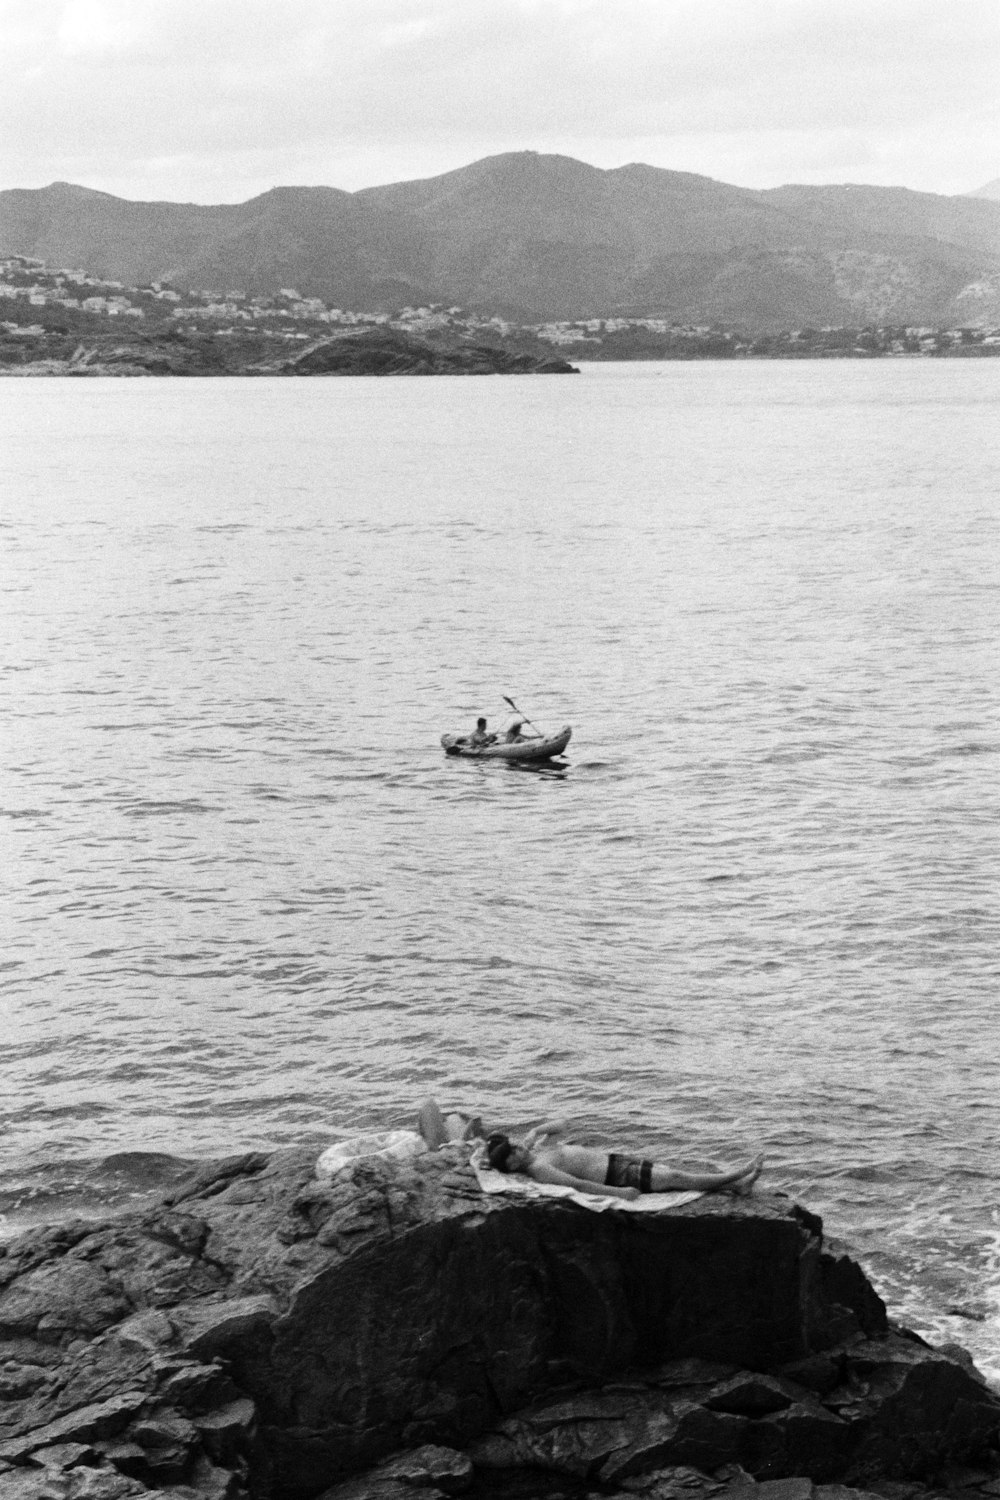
(362, 352)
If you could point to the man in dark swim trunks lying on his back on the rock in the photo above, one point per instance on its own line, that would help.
(545, 1157)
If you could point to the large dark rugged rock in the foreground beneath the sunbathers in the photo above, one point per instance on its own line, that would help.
(398, 1334)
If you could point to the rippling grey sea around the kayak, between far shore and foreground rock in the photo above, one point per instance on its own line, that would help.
(250, 902)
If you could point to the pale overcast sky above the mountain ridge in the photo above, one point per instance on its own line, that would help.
(215, 101)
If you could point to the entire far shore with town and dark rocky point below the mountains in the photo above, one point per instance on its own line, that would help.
(64, 322)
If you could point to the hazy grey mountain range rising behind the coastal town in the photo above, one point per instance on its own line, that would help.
(537, 238)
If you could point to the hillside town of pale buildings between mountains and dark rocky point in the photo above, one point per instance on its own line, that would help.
(41, 305)
